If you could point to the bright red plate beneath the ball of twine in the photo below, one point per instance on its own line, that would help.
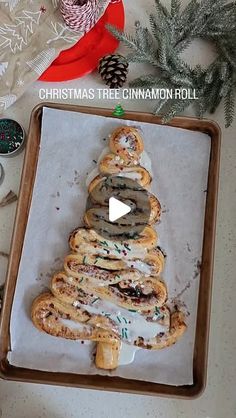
(83, 57)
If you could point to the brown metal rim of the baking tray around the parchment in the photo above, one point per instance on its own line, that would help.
(202, 327)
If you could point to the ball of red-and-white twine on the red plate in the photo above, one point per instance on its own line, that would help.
(80, 16)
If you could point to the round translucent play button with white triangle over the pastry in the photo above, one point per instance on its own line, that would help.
(118, 207)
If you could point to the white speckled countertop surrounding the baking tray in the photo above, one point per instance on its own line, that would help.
(26, 400)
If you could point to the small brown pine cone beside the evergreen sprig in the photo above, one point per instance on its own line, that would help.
(113, 70)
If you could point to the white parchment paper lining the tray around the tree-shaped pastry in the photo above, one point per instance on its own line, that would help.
(70, 144)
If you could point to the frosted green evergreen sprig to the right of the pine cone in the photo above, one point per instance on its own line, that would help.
(170, 33)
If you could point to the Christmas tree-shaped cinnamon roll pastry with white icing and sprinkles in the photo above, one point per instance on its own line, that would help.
(124, 272)
